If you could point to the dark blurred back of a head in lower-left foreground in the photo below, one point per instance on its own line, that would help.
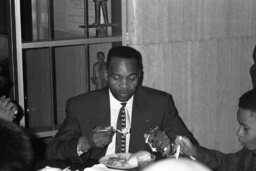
(16, 153)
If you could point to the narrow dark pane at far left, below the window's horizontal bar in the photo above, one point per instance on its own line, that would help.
(38, 87)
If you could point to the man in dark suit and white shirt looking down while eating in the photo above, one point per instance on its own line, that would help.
(82, 136)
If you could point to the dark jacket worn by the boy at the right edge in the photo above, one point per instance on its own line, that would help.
(243, 160)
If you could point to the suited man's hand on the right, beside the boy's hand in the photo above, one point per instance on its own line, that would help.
(158, 140)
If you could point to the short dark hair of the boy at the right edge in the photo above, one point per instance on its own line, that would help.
(248, 100)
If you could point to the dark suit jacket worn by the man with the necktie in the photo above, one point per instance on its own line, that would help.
(85, 112)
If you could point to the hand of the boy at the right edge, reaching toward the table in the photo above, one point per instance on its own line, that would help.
(186, 146)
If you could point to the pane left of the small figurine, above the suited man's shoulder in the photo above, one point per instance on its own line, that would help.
(71, 75)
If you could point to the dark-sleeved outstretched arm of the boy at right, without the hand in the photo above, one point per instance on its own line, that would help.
(218, 160)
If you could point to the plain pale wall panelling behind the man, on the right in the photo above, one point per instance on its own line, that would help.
(200, 51)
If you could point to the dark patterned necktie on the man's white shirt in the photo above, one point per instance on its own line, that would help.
(121, 124)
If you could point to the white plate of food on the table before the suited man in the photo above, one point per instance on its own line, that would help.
(117, 161)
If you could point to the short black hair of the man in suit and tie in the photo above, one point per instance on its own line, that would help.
(125, 52)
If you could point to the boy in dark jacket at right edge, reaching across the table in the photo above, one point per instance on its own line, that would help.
(243, 160)
